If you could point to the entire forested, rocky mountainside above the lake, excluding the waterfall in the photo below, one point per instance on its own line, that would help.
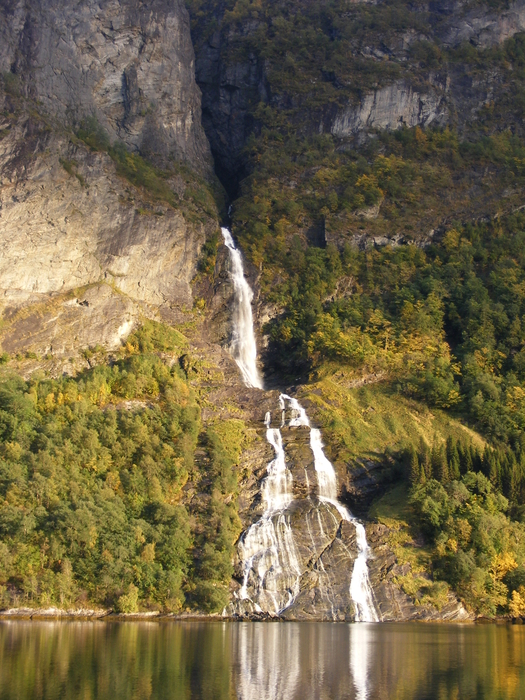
(374, 157)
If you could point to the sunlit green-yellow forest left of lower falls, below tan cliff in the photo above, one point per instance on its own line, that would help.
(113, 492)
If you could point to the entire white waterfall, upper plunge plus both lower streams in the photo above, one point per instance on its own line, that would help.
(268, 550)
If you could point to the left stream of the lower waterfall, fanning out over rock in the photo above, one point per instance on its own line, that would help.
(267, 548)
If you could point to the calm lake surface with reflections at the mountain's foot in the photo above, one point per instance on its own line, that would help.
(258, 661)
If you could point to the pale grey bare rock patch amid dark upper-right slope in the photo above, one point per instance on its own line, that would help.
(390, 107)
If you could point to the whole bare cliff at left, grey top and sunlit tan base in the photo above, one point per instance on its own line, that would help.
(84, 252)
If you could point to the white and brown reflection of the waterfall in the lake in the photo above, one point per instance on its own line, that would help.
(306, 662)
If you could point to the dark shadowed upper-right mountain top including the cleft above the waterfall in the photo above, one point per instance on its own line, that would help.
(346, 71)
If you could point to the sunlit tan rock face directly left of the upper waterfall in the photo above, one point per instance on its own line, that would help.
(84, 254)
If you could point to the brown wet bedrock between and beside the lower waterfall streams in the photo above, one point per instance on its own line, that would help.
(317, 569)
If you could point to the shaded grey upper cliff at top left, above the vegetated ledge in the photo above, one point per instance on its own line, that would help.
(129, 64)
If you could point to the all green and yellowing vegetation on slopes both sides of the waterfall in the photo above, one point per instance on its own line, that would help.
(394, 258)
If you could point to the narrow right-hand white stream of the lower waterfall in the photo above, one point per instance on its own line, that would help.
(360, 590)
